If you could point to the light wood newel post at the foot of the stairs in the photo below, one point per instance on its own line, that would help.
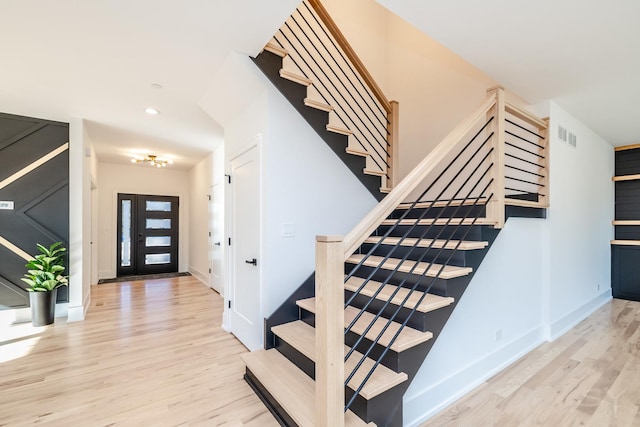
(329, 331)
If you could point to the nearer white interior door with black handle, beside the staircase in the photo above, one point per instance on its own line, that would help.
(245, 297)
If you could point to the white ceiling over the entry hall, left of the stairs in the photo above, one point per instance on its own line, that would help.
(97, 60)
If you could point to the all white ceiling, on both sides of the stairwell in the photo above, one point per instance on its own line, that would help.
(97, 60)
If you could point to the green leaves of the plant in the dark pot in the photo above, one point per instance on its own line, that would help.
(44, 272)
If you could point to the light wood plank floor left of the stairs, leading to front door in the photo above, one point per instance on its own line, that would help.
(148, 354)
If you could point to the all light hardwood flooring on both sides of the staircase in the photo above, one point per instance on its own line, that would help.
(153, 354)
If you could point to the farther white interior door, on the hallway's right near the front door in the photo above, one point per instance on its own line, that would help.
(216, 237)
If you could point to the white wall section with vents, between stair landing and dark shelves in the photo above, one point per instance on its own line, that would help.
(579, 224)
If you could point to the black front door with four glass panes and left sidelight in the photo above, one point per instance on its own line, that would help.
(147, 234)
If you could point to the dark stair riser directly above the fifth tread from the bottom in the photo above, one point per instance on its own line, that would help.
(435, 255)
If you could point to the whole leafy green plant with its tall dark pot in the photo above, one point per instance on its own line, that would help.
(44, 276)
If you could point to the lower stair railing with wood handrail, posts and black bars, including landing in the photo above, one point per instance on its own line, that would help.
(472, 171)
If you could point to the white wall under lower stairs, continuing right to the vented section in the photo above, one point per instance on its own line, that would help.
(539, 278)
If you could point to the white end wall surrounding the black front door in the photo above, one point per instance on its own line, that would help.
(137, 179)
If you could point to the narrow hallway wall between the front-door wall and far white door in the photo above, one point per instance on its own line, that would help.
(200, 181)
